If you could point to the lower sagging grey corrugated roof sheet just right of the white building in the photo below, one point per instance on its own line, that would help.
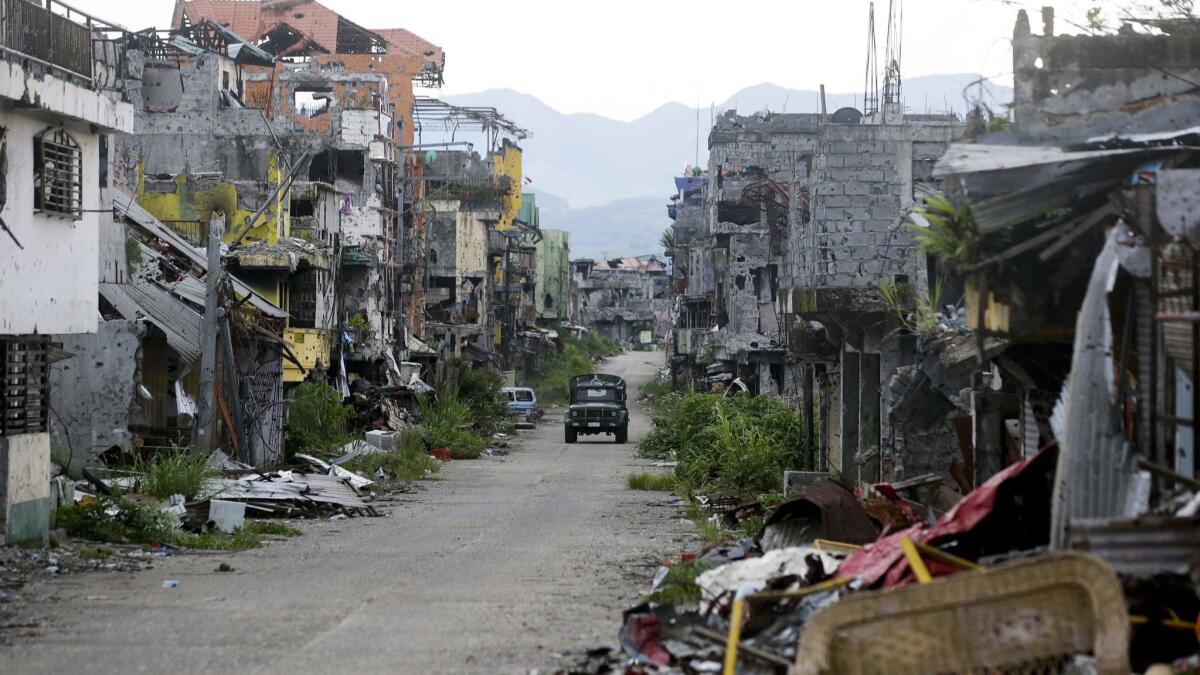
(182, 325)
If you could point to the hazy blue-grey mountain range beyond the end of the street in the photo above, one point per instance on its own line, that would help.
(608, 182)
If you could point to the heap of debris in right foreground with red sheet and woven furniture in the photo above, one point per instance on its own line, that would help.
(827, 589)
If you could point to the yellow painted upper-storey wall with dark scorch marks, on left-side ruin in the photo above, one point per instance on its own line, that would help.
(188, 204)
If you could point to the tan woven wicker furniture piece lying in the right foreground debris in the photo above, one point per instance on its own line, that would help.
(1024, 617)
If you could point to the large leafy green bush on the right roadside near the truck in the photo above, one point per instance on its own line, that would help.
(727, 445)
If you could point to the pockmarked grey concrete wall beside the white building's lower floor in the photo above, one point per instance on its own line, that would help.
(94, 393)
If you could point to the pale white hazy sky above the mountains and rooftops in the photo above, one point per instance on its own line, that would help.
(626, 58)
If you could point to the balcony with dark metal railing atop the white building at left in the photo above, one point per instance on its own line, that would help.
(59, 37)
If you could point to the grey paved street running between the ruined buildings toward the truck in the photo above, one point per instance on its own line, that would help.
(496, 568)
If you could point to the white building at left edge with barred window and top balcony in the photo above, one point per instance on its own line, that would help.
(61, 109)
